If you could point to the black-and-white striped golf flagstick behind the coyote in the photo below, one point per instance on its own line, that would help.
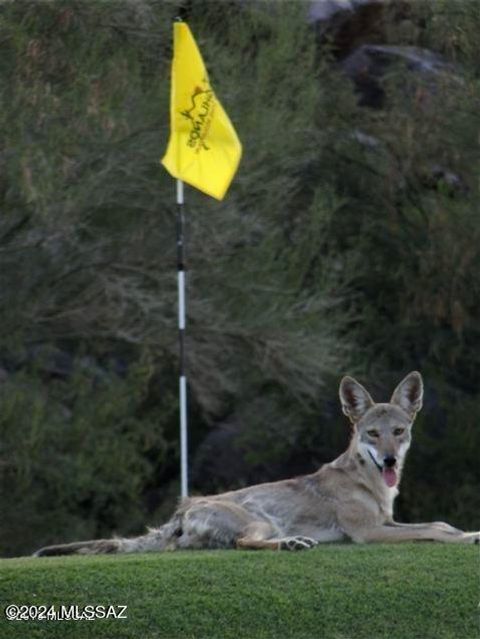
(181, 333)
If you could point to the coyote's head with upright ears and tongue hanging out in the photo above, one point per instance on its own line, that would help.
(382, 432)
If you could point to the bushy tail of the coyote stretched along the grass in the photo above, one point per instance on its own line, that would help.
(155, 540)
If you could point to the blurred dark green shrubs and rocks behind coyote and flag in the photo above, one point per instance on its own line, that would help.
(348, 243)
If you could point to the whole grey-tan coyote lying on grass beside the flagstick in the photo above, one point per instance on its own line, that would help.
(350, 498)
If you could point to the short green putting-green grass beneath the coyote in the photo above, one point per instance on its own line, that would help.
(335, 591)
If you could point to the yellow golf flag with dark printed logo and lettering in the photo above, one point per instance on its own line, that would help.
(203, 149)
